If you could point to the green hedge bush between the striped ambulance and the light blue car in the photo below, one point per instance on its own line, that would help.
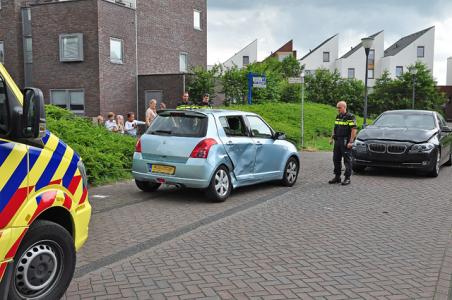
(107, 156)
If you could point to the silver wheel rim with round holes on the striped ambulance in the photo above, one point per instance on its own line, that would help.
(38, 269)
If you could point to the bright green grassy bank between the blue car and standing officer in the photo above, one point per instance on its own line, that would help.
(286, 117)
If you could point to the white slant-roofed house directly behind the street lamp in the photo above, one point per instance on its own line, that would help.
(353, 63)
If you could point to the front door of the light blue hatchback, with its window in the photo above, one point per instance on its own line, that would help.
(268, 151)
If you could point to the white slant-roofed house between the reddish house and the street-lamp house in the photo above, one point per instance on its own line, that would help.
(323, 56)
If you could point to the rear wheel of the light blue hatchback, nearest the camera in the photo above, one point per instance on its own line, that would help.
(220, 186)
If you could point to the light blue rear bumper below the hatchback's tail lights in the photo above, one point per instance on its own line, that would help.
(194, 173)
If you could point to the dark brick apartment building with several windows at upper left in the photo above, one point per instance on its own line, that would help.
(96, 56)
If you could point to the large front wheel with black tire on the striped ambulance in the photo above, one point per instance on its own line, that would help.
(44, 263)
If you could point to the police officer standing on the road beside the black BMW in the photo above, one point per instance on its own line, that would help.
(344, 134)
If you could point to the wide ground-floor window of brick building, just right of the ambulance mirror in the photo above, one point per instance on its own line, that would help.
(73, 100)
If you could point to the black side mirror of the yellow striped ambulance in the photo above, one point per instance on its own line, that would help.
(33, 118)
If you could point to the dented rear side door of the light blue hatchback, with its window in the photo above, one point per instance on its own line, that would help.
(240, 148)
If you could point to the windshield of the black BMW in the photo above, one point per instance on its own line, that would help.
(404, 120)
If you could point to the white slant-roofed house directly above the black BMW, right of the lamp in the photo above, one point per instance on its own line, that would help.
(408, 50)
